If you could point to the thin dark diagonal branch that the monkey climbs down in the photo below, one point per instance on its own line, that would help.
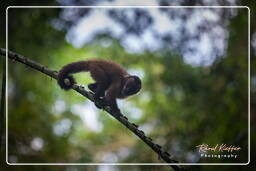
(80, 89)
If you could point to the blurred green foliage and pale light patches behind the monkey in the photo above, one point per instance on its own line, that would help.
(193, 63)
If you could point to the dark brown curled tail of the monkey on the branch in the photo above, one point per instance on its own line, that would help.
(68, 69)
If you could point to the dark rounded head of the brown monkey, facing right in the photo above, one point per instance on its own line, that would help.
(131, 86)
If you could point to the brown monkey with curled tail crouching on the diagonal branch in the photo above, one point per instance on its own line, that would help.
(111, 80)
